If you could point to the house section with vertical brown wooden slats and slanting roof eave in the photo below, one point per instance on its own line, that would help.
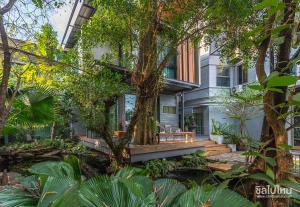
(182, 73)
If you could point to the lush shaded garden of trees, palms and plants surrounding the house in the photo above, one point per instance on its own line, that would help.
(47, 93)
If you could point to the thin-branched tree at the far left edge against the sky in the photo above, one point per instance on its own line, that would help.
(19, 19)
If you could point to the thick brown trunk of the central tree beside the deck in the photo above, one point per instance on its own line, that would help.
(147, 78)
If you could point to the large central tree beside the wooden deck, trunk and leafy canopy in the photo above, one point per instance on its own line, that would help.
(143, 35)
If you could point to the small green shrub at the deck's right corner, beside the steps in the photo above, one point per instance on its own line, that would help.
(195, 160)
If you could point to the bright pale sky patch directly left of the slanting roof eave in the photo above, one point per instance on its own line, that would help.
(59, 19)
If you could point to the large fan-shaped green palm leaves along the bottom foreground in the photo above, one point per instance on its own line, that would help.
(56, 186)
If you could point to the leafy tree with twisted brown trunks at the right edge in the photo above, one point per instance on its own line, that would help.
(266, 31)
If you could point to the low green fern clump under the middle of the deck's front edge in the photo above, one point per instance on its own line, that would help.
(159, 168)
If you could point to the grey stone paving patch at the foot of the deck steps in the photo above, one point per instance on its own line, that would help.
(232, 157)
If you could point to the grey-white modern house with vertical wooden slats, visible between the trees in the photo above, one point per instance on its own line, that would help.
(195, 79)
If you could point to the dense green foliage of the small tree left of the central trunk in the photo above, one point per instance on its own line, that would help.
(91, 88)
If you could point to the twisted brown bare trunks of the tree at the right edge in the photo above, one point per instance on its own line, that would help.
(275, 133)
